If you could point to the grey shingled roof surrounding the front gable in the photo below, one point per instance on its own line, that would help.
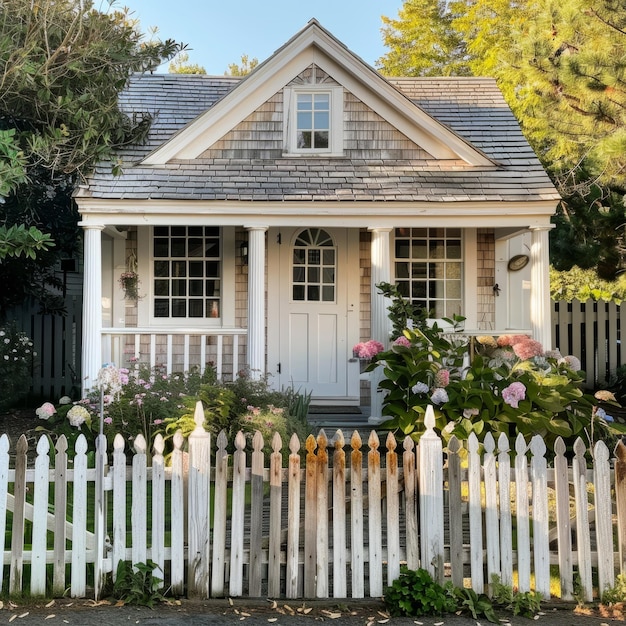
(473, 108)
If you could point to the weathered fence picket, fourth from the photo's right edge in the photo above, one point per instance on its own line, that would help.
(563, 524)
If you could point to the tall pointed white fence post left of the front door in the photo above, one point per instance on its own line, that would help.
(199, 492)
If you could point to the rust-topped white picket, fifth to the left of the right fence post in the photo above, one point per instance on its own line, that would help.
(340, 580)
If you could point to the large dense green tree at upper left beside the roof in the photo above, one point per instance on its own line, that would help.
(62, 66)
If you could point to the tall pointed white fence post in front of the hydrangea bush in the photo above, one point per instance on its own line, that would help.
(431, 497)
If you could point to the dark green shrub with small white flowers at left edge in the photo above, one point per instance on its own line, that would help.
(16, 362)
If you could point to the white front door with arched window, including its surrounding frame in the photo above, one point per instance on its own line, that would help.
(313, 311)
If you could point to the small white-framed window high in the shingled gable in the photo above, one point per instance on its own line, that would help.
(313, 120)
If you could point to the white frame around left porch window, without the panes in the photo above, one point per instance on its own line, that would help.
(145, 315)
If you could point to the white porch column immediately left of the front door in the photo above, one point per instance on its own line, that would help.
(256, 301)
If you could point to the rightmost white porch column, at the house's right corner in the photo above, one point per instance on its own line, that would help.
(540, 312)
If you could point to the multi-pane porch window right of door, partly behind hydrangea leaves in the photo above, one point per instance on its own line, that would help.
(429, 268)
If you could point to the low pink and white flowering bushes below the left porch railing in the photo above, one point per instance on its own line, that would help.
(148, 401)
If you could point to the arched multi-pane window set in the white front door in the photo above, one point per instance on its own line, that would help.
(314, 267)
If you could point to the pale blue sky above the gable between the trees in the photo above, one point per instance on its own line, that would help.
(218, 32)
